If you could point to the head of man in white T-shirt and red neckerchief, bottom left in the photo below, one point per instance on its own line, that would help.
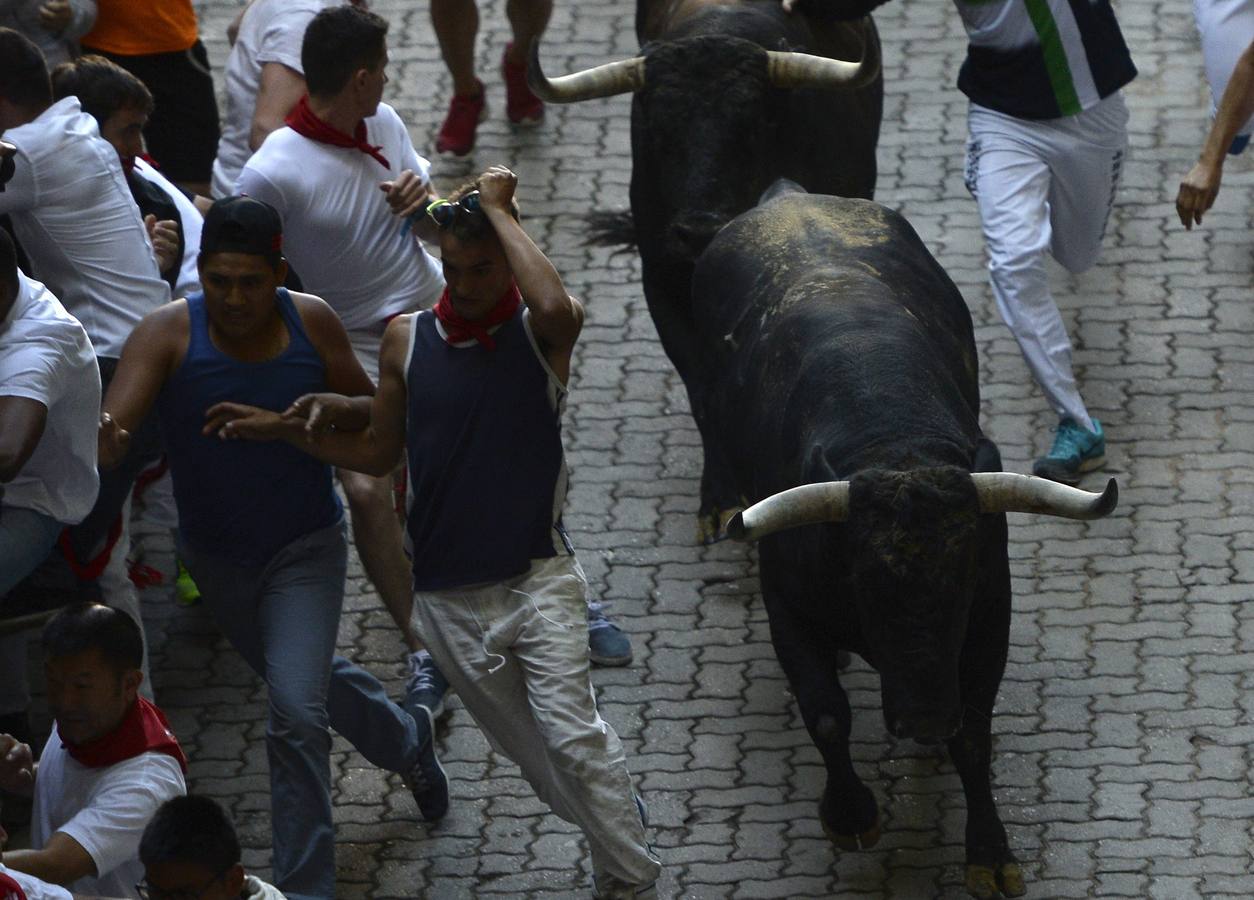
(92, 657)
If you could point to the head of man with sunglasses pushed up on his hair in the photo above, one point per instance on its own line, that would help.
(476, 269)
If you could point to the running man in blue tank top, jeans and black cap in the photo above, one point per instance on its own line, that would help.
(261, 528)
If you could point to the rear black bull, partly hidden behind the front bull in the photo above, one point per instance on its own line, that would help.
(714, 125)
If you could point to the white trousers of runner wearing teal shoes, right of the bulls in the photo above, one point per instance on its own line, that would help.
(1044, 185)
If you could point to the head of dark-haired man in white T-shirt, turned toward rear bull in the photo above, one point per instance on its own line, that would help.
(345, 50)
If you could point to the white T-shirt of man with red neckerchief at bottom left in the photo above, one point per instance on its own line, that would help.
(106, 810)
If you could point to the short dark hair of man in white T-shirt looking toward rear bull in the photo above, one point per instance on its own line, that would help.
(338, 43)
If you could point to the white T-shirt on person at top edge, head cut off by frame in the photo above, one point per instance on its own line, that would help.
(271, 32)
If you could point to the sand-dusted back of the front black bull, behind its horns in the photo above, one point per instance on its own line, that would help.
(825, 311)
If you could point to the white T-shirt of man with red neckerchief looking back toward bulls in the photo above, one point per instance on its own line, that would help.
(339, 233)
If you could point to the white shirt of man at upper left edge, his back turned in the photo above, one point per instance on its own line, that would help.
(76, 219)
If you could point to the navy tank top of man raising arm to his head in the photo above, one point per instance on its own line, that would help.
(487, 474)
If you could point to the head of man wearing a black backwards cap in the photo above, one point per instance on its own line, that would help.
(241, 264)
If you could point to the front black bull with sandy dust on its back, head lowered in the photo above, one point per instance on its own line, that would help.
(840, 357)
